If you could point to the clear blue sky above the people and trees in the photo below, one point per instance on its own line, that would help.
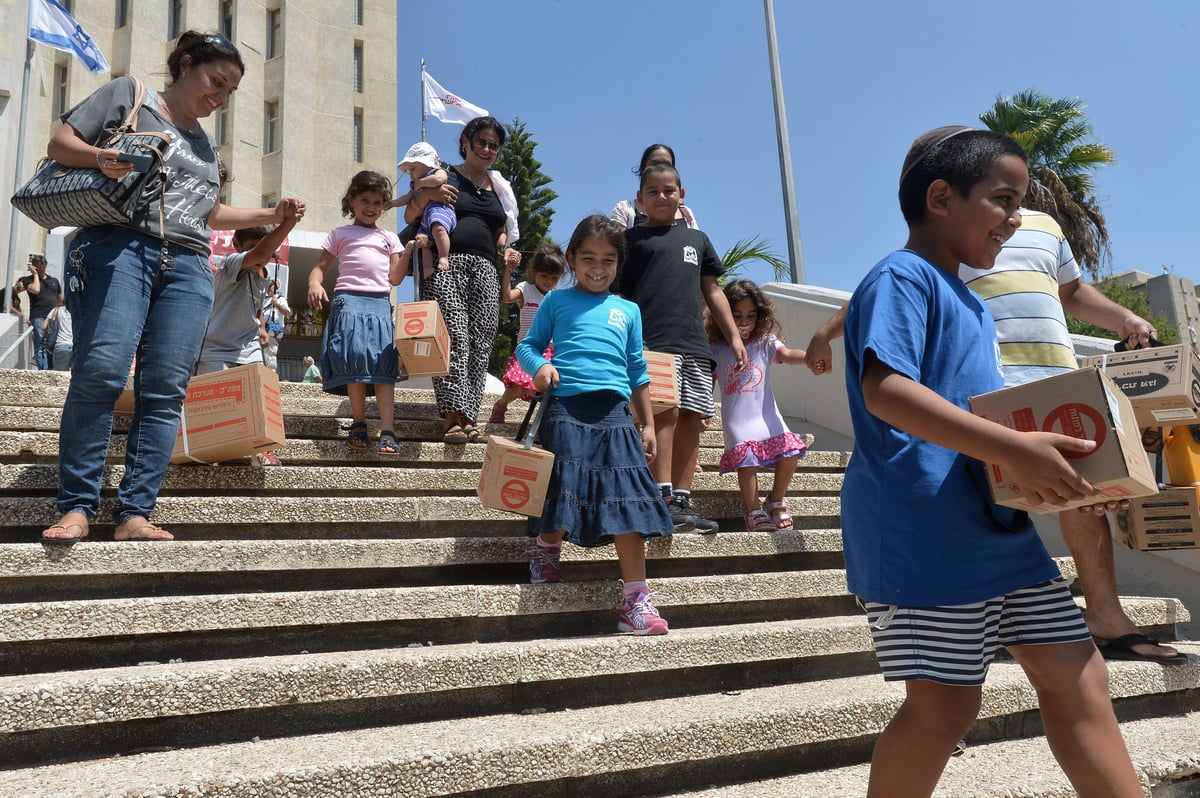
(596, 83)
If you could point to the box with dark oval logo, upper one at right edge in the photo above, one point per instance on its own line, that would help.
(1163, 383)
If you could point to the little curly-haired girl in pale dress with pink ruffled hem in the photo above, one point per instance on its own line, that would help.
(755, 434)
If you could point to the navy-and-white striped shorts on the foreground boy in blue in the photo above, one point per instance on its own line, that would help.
(955, 645)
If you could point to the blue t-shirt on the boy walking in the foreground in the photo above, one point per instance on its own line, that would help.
(916, 526)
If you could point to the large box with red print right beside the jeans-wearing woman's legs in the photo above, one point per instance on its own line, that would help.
(229, 415)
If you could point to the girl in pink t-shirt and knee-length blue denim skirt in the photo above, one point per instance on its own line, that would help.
(359, 351)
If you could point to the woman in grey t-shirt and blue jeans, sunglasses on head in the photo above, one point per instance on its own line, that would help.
(143, 292)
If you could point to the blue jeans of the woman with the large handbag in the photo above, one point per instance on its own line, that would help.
(129, 295)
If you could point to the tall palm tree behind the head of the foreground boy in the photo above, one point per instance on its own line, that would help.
(1064, 158)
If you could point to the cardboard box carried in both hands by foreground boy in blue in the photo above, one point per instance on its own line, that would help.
(1081, 404)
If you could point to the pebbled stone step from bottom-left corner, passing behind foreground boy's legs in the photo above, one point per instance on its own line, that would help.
(620, 749)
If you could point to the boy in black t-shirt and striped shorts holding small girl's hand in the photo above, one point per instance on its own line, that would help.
(671, 274)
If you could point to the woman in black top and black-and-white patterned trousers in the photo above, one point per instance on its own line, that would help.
(469, 292)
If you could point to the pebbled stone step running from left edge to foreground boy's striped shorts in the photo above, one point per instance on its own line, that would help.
(88, 698)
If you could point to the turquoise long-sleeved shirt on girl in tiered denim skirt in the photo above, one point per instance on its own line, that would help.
(598, 343)
